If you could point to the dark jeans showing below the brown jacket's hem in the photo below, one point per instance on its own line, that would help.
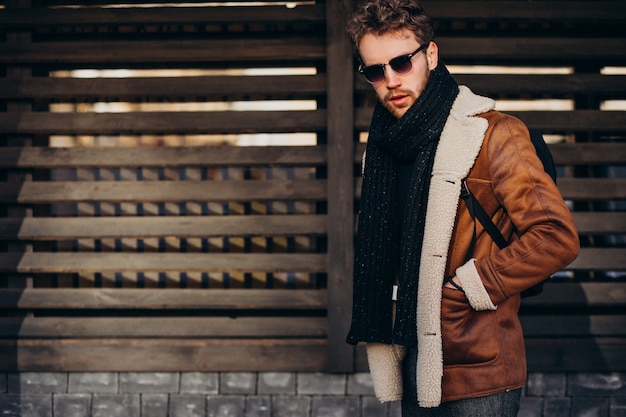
(504, 404)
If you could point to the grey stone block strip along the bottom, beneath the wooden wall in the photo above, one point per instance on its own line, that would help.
(270, 394)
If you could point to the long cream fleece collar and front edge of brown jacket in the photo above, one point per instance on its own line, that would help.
(459, 145)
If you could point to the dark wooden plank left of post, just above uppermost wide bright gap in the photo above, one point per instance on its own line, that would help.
(246, 50)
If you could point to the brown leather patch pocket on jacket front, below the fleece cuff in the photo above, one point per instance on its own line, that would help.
(469, 337)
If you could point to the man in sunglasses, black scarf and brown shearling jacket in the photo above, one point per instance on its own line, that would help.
(441, 320)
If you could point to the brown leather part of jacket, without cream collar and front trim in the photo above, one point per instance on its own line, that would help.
(484, 350)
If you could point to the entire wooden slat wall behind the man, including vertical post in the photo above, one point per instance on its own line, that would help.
(140, 256)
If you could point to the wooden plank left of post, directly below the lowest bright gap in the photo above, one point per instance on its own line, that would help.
(178, 156)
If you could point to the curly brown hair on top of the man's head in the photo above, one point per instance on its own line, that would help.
(383, 16)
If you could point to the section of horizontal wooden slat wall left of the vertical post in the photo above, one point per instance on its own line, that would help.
(165, 258)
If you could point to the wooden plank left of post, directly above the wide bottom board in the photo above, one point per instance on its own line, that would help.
(162, 327)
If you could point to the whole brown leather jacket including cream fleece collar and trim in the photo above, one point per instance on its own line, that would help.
(470, 343)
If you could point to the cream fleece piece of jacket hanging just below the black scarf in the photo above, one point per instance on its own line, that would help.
(385, 363)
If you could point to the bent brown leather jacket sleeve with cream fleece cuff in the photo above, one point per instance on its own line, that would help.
(544, 236)
